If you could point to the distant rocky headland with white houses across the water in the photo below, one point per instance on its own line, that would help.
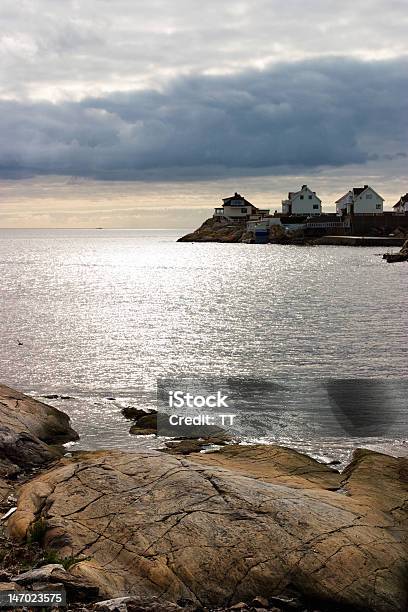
(359, 220)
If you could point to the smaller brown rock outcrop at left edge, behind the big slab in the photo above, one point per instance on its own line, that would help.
(30, 434)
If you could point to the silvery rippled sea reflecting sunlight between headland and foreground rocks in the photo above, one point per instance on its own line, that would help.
(316, 336)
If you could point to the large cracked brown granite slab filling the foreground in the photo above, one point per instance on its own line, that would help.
(160, 525)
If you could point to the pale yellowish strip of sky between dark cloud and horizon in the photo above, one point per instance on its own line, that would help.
(52, 202)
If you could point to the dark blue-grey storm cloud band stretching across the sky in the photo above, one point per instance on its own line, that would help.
(303, 115)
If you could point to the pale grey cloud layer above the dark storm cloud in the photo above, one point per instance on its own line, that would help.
(54, 49)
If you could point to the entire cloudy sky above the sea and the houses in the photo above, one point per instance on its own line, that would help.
(145, 115)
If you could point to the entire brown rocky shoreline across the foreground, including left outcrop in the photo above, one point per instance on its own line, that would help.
(243, 528)
